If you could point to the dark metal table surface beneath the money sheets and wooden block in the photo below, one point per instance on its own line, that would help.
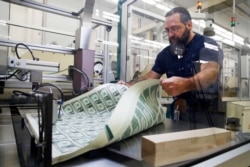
(120, 154)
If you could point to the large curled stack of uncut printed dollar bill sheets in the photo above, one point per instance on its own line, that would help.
(107, 114)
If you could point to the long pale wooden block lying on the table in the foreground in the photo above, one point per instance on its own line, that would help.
(168, 148)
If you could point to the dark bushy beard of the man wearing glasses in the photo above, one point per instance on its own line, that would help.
(178, 47)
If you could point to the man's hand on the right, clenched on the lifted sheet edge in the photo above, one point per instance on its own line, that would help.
(175, 86)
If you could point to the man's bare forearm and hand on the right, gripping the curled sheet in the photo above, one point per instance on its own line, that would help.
(177, 85)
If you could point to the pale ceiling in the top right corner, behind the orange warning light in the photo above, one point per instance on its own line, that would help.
(222, 11)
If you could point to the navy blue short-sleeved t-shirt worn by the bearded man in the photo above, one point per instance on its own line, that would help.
(199, 50)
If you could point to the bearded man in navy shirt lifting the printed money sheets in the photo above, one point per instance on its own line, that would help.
(192, 64)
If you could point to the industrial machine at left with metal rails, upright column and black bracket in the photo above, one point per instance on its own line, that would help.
(28, 79)
